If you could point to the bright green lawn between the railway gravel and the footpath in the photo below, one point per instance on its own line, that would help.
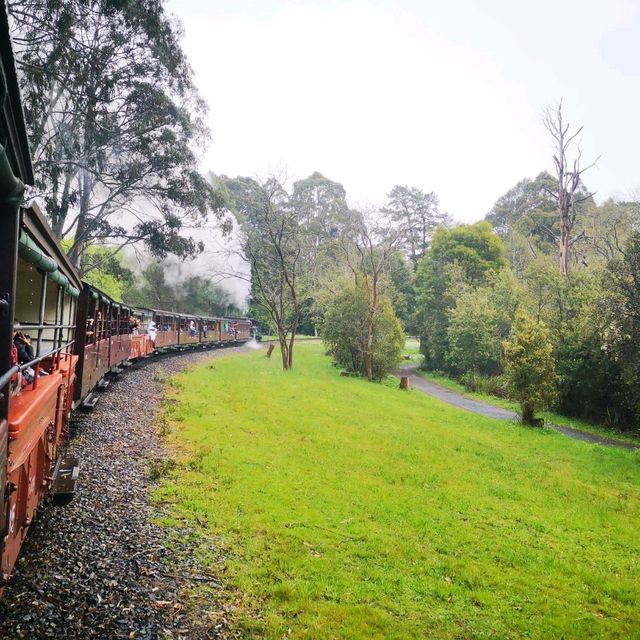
(340, 508)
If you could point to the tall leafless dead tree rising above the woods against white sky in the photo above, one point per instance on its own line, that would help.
(569, 175)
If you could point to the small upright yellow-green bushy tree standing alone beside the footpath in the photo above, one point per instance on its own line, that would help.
(529, 369)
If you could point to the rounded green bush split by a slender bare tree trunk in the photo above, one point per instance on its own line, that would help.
(344, 330)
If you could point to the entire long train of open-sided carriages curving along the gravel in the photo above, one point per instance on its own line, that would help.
(75, 336)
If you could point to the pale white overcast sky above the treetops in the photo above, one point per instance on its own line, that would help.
(442, 95)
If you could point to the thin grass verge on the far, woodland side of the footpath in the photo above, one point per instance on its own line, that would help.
(413, 349)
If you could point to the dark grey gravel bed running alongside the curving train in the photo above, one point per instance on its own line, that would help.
(98, 567)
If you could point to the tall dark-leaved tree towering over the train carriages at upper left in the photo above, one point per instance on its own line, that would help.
(113, 117)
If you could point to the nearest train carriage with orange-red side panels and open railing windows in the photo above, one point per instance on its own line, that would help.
(38, 292)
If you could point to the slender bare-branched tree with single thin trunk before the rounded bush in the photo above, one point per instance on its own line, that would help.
(368, 249)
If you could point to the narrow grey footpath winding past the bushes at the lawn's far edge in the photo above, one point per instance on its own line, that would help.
(490, 411)
